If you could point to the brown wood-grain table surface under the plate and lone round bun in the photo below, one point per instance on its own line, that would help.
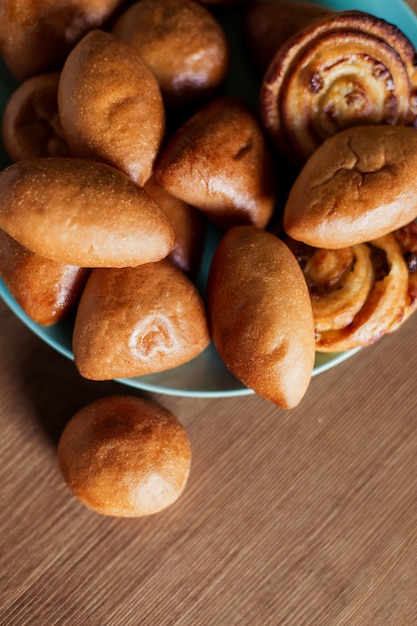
(293, 517)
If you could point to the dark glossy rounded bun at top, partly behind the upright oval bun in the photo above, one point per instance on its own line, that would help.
(182, 43)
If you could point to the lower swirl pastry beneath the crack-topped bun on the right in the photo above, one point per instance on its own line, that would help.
(358, 294)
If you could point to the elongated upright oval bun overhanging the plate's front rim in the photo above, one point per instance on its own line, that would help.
(260, 315)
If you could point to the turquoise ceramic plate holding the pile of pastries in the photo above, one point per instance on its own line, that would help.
(206, 376)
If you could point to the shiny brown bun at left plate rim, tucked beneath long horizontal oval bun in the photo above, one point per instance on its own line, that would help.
(47, 291)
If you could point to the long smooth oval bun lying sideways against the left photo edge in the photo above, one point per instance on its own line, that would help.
(82, 213)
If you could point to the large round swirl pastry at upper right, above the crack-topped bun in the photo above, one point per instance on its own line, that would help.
(347, 69)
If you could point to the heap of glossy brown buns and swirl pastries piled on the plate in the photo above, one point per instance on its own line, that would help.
(125, 145)
